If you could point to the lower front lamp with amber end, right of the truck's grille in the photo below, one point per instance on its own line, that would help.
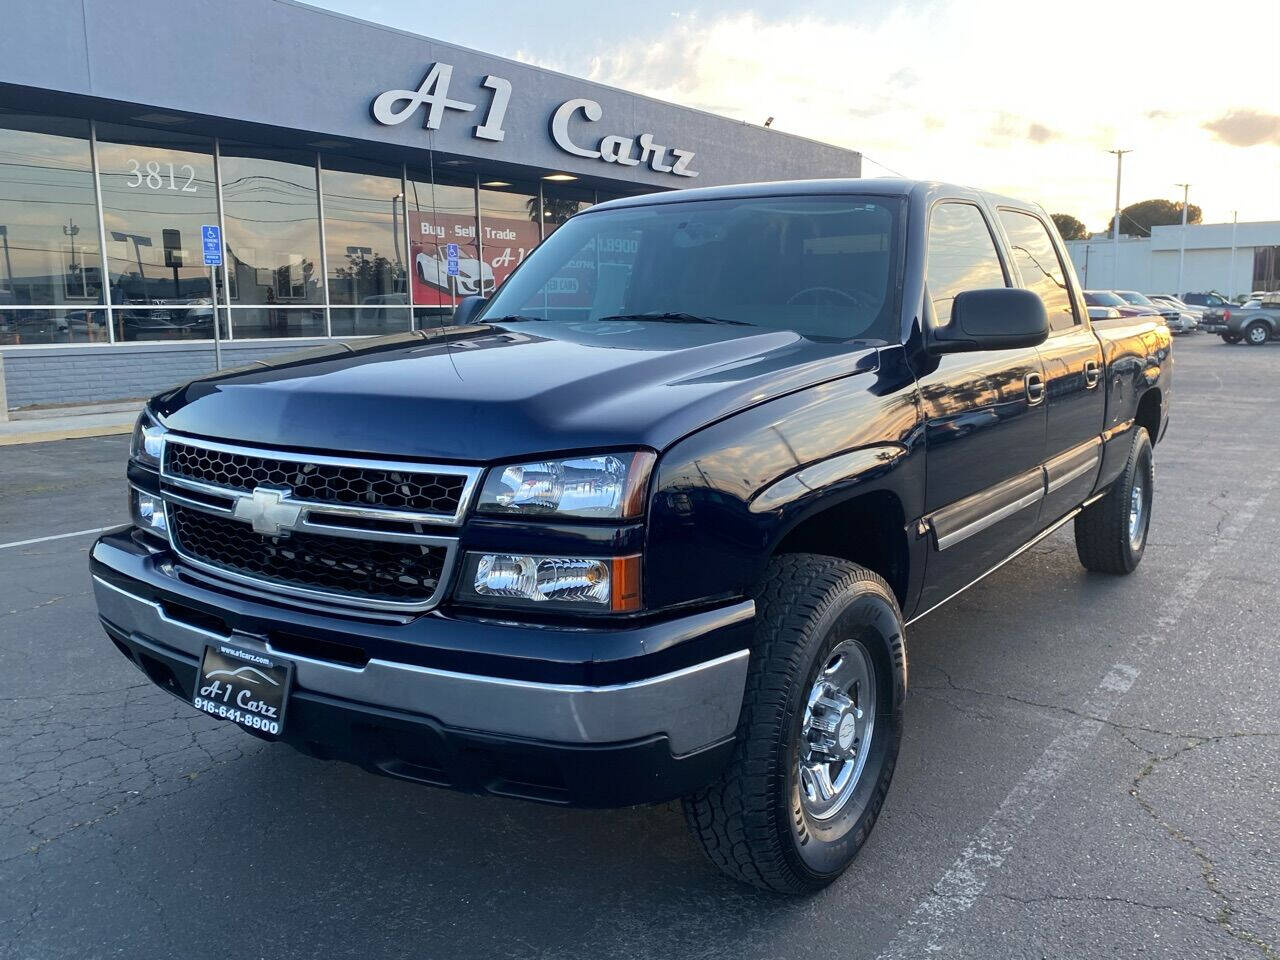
(605, 586)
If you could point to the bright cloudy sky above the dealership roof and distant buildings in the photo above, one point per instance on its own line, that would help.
(1018, 98)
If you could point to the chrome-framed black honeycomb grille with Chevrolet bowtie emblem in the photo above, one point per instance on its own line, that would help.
(350, 532)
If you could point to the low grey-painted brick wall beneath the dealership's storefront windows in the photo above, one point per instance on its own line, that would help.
(42, 376)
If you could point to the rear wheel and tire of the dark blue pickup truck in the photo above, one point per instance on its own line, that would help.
(1112, 534)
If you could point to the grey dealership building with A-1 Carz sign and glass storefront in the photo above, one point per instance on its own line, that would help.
(182, 191)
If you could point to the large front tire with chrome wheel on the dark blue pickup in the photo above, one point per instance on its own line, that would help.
(820, 730)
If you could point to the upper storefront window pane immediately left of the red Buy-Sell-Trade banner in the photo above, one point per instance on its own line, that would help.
(364, 209)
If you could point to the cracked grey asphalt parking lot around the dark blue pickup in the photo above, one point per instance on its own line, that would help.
(1091, 769)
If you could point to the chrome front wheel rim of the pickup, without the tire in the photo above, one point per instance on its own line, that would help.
(836, 732)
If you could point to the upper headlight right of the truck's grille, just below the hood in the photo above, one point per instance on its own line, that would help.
(604, 486)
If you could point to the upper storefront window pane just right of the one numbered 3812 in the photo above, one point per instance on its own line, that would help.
(273, 226)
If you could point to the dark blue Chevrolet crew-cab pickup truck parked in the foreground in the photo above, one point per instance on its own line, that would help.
(665, 541)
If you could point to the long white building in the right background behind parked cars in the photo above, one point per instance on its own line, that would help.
(1228, 259)
